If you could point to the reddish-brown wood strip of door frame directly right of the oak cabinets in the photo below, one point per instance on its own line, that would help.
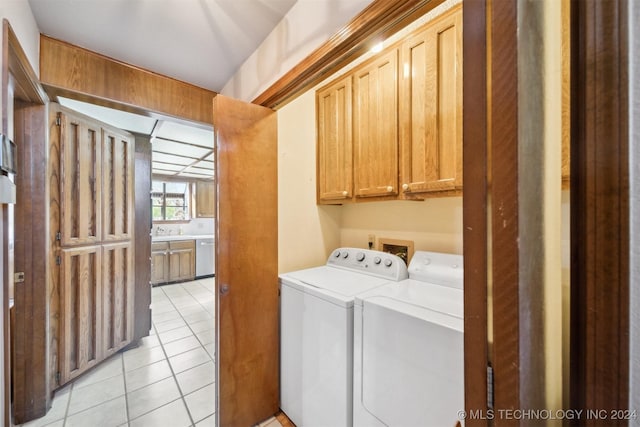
(474, 205)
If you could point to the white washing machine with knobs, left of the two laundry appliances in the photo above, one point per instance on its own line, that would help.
(316, 333)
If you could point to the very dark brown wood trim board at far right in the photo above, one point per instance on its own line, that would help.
(600, 208)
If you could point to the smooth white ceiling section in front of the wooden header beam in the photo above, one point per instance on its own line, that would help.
(202, 42)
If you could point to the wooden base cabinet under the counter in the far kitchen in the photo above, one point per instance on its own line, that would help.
(173, 261)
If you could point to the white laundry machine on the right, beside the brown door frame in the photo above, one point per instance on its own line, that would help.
(409, 349)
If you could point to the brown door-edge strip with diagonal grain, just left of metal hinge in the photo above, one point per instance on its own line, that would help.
(504, 209)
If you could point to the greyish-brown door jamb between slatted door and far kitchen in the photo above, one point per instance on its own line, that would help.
(143, 223)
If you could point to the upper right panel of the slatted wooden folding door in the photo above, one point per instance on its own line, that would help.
(118, 155)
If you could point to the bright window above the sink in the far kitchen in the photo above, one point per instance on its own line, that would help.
(170, 201)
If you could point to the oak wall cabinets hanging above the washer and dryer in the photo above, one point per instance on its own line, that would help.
(405, 113)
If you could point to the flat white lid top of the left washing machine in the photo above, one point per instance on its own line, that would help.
(336, 285)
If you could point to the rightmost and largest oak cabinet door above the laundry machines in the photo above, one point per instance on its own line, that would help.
(431, 108)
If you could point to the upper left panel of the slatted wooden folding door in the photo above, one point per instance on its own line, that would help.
(80, 159)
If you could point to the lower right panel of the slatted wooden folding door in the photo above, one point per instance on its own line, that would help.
(117, 296)
